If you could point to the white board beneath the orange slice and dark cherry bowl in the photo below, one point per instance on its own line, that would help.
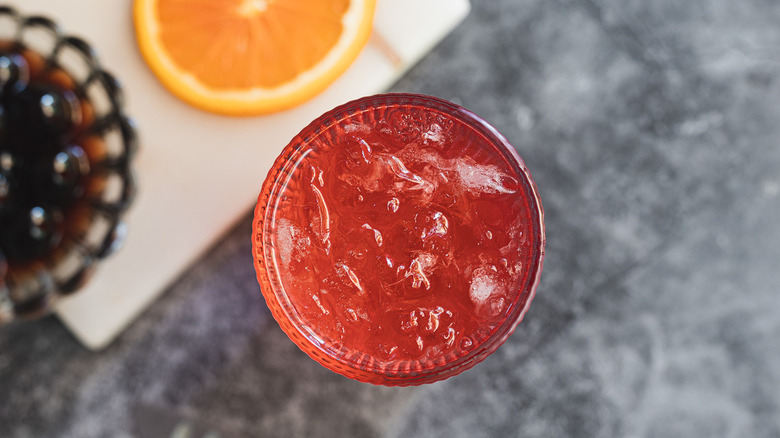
(199, 172)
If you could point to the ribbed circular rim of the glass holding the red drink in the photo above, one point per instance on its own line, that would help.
(338, 360)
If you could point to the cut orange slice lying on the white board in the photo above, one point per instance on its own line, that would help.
(249, 57)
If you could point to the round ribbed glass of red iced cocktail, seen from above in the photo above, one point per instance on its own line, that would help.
(398, 239)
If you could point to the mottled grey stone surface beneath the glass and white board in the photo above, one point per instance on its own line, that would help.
(653, 131)
